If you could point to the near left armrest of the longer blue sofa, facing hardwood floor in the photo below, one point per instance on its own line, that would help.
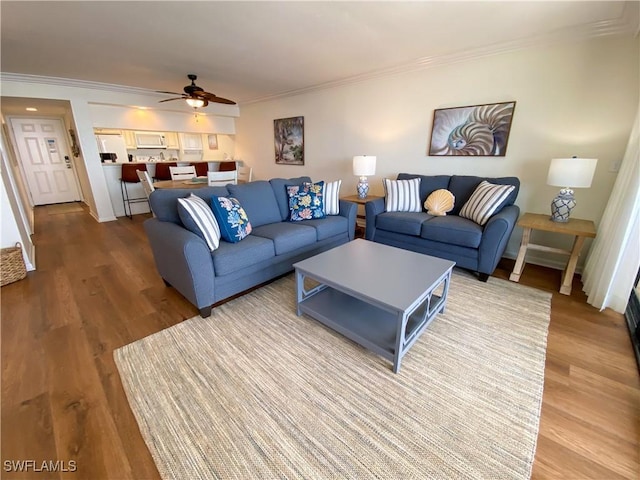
(183, 260)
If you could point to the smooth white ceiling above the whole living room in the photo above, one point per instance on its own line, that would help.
(249, 51)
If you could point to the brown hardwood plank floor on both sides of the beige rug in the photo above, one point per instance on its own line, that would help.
(96, 289)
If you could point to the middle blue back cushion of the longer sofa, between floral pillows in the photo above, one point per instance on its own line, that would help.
(258, 200)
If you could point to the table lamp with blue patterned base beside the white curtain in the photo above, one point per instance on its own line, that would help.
(568, 173)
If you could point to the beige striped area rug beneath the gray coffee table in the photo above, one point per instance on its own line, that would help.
(256, 392)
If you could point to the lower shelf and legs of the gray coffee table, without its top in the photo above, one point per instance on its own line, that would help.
(377, 329)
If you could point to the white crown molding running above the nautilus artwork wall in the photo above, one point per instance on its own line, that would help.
(624, 25)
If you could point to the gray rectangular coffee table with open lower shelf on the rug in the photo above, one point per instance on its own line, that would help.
(380, 297)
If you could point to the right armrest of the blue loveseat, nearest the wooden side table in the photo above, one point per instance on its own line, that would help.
(495, 238)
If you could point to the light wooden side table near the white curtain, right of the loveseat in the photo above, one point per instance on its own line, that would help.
(581, 229)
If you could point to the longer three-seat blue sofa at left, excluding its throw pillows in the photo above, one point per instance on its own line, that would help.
(203, 277)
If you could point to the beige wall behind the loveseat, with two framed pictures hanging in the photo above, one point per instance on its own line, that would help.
(577, 98)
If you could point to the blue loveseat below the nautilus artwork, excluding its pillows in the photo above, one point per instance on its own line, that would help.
(471, 246)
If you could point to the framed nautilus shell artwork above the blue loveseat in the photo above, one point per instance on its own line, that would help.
(477, 130)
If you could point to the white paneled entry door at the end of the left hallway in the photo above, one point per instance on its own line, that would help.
(44, 155)
